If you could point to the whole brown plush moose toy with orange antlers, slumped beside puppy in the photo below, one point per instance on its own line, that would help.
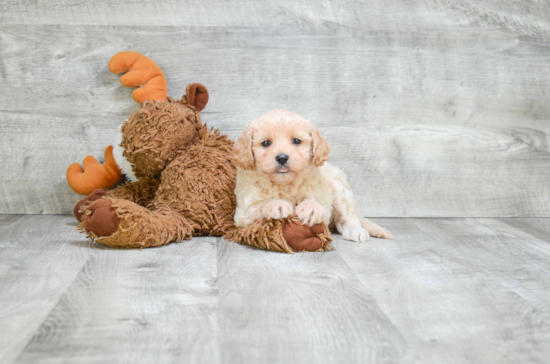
(181, 176)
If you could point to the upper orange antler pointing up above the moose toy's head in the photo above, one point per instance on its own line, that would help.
(141, 71)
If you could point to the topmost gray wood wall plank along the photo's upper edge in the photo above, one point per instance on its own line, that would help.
(524, 17)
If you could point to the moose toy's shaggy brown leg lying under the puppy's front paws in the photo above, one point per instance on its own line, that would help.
(285, 235)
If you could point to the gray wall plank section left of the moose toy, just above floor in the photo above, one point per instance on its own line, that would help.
(38, 158)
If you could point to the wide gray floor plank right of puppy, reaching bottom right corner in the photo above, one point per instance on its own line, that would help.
(458, 290)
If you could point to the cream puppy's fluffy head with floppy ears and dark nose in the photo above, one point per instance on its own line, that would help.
(282, 145)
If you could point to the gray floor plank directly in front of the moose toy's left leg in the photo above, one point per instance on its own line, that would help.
(146, 306)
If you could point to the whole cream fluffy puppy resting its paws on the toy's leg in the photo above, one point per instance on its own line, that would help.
(281, 171)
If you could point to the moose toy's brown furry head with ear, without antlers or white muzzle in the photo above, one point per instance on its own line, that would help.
(153, 135)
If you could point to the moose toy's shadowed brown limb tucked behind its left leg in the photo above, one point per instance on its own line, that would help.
(141, 192)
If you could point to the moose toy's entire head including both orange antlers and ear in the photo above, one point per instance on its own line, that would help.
(152, 136)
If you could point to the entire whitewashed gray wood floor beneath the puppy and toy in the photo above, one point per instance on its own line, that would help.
(444, 291)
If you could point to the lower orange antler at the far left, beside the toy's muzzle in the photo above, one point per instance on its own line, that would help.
(95, 175)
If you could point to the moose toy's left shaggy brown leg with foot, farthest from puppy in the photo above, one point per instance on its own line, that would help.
(125, 224)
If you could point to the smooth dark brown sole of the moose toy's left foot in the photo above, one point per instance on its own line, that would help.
(101, 218)
